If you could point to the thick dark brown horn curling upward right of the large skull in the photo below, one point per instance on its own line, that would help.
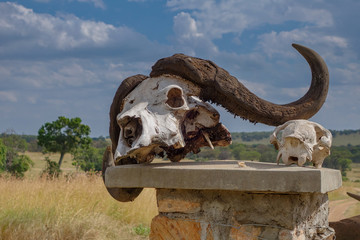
(220, 87)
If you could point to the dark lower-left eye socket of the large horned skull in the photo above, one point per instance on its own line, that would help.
(131, 130)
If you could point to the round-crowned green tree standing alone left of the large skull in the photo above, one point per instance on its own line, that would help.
(64, 136)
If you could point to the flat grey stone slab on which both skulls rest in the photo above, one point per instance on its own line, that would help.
(224, 175)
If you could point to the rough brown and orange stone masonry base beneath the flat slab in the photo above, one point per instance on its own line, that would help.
(241, 215)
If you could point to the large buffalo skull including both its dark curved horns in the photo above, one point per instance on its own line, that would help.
(167, 112)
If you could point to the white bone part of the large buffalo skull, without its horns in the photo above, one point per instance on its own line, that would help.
(159, 114)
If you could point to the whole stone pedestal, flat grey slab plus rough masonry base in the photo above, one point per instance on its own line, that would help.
(225, 200)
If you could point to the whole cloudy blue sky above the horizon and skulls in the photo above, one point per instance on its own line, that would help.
(67, 57)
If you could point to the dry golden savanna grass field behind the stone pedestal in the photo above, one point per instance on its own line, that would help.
(77, 206)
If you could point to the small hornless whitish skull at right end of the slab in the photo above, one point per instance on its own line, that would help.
(302, 141)
